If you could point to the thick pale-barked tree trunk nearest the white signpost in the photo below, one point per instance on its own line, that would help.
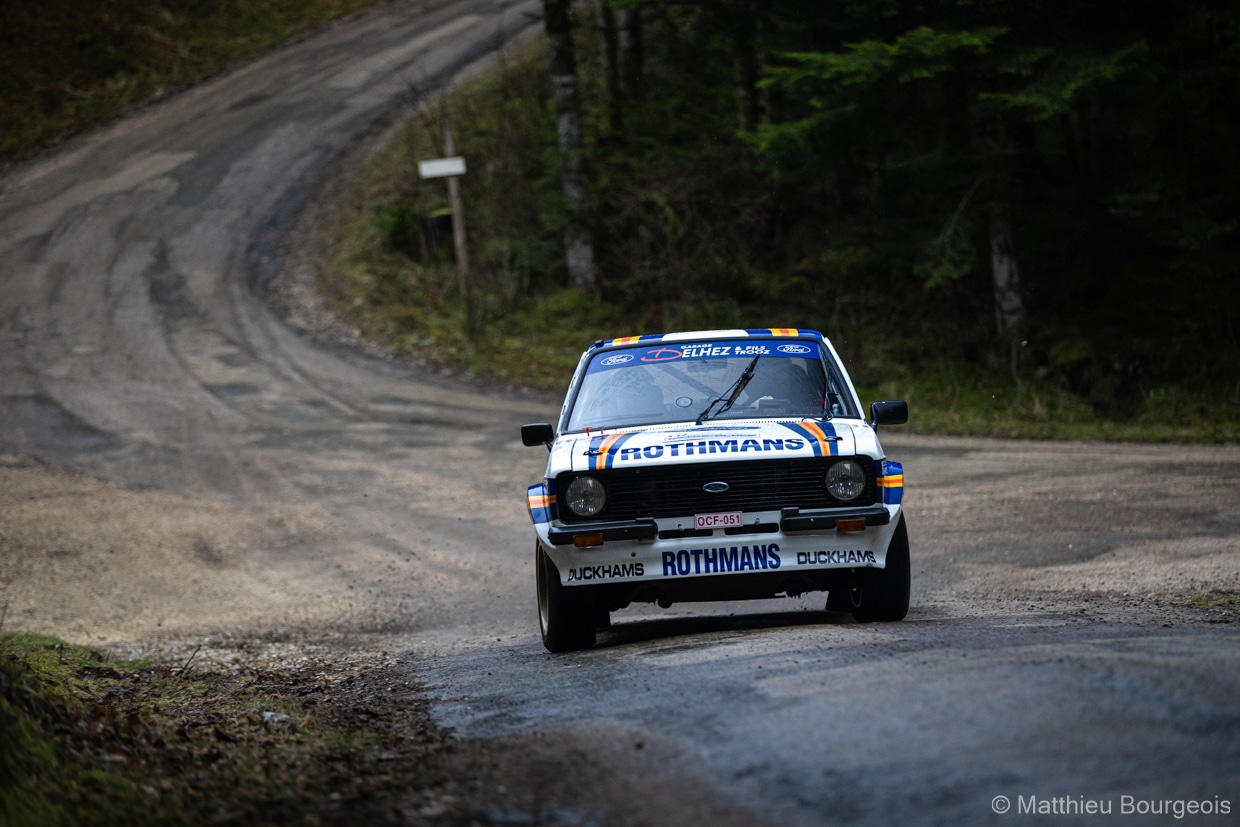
(578, 240)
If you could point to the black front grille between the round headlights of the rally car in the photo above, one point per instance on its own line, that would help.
(757, 485)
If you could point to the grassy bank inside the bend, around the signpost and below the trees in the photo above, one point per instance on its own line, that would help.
(389, 272)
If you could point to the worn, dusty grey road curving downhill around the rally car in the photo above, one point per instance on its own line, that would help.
(182, 467)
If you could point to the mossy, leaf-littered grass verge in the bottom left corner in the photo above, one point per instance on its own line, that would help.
(94, 741)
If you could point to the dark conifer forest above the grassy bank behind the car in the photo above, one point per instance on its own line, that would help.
(1047, 189)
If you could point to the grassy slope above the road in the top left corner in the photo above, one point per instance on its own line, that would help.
(66, 65)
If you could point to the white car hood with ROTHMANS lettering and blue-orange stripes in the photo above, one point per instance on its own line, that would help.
(712, 442)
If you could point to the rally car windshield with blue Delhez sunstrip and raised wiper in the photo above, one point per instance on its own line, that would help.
(670, 384)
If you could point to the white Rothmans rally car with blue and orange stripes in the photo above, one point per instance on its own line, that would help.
(715, 466)
